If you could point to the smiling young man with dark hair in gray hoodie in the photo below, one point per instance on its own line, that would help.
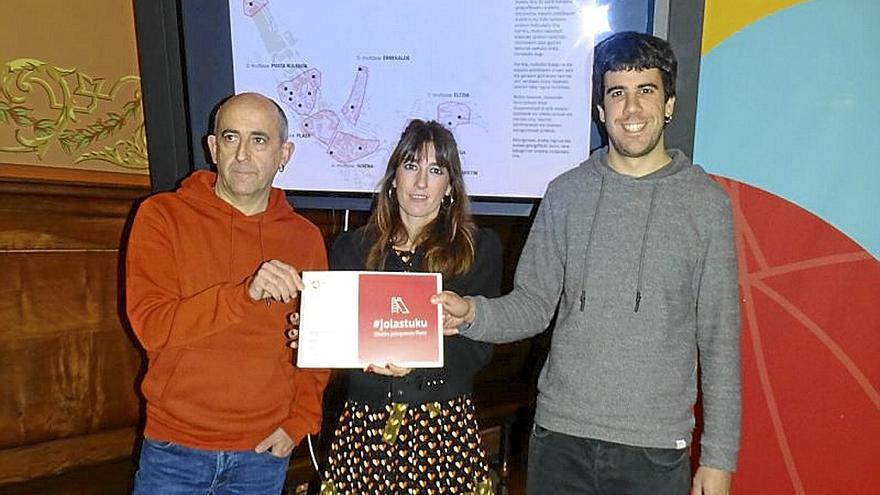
(633, 251)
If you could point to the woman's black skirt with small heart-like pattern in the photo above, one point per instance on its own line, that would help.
(431, 448)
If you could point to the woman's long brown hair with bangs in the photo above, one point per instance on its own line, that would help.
(448, 241)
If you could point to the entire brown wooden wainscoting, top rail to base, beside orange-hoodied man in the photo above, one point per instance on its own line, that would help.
(68, 367)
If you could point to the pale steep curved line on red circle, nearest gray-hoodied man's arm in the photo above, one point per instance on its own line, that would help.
(741, 225)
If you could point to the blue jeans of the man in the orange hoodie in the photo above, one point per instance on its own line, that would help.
(167, 468)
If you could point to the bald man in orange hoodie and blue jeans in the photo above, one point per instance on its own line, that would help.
(212, 277)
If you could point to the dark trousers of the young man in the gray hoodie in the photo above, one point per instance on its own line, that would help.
(562, 464)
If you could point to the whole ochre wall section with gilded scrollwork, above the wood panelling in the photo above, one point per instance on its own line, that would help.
(70, 101)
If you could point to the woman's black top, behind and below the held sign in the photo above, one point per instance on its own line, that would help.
(463, 357)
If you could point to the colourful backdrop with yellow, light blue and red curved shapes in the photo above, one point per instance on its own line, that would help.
(786, 115)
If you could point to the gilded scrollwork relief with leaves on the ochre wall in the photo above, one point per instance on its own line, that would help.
(86, 117)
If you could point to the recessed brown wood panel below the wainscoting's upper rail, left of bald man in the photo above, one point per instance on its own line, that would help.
(70, 367)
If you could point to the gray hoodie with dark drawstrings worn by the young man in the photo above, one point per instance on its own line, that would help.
(643, 271)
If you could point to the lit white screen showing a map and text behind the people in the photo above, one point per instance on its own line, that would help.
(350, 75)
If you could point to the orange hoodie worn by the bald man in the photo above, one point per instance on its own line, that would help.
(219, 373)
